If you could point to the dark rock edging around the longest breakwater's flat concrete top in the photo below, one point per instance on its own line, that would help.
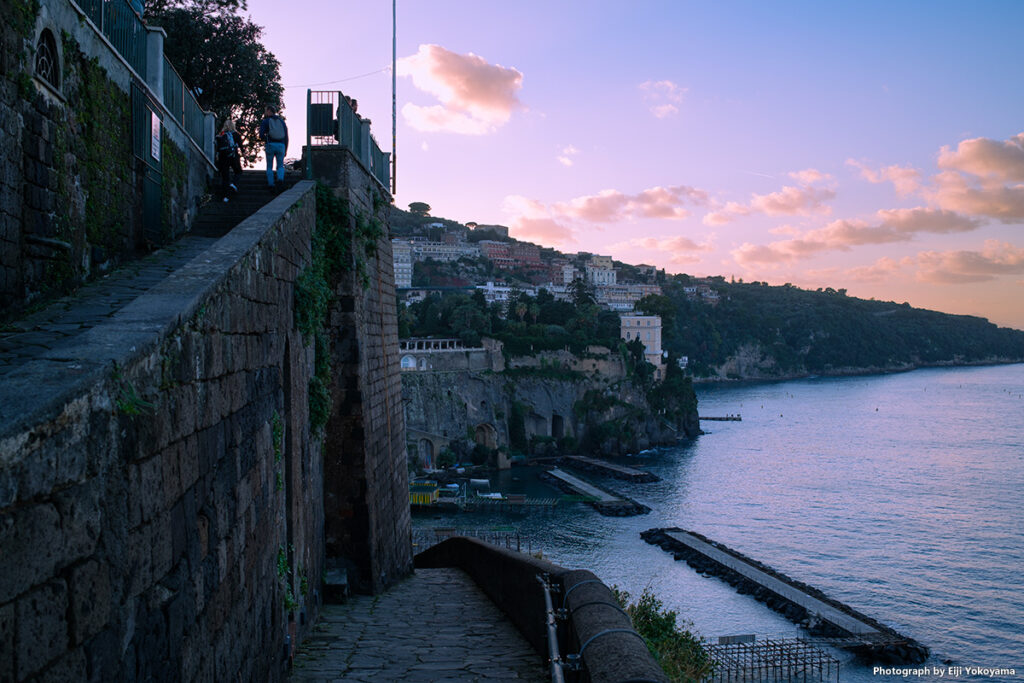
(891, 648)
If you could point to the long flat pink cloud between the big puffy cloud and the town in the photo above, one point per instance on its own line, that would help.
(613, 205)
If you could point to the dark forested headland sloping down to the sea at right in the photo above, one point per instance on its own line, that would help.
(758, 331)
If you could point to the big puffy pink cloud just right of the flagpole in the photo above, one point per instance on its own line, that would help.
(476, 97)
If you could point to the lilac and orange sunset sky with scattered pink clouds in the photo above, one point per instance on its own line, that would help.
(877, 147)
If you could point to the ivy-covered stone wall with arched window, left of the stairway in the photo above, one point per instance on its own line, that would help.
(71, 187)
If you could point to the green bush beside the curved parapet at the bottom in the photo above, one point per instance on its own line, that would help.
(676, 649)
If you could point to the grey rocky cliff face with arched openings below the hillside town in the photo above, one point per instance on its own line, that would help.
(520, 413)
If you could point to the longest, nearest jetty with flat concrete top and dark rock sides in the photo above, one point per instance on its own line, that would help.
(829, 620)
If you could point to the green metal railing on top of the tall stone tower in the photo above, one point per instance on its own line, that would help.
(332, 123)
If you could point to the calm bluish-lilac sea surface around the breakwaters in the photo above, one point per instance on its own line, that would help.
(901, 495)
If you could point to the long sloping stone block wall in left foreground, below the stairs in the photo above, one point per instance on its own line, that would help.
(161, 493)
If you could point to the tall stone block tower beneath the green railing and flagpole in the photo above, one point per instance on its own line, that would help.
(368, 523)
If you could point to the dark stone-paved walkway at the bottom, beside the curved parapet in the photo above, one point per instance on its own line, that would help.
(433, 628)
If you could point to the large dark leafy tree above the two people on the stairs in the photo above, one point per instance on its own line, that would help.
(222, 57)
